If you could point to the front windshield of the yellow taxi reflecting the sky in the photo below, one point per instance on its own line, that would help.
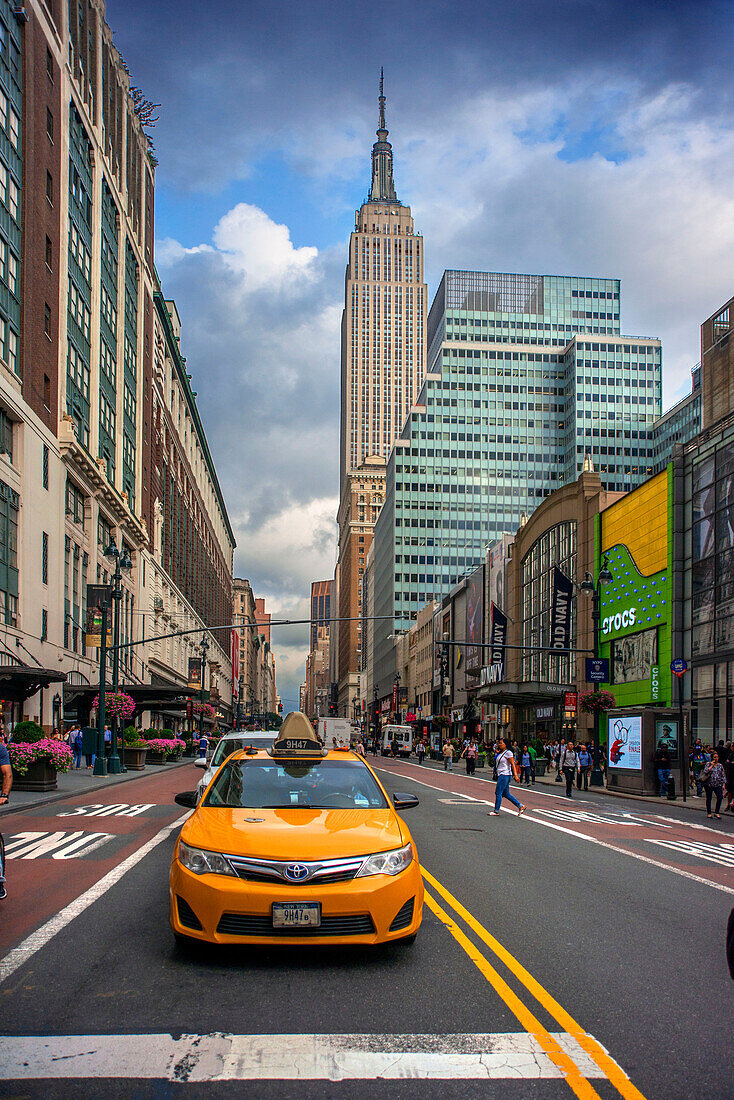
(316, 785)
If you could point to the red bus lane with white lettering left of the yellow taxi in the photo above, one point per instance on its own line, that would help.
(58, 852)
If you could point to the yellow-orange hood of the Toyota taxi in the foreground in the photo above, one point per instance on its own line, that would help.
(294, 833)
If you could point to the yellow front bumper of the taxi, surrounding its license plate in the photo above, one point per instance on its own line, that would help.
(223, 910)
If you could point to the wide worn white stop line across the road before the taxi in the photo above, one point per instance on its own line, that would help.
(223, 1058)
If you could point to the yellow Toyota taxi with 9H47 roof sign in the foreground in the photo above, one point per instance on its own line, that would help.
(295, 845)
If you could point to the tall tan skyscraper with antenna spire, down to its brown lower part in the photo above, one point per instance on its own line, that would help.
(384, 355)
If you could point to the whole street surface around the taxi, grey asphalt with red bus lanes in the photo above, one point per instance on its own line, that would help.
(544, 938)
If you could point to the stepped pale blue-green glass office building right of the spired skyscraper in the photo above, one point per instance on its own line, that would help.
(528, 377)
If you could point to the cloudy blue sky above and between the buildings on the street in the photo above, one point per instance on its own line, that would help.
(574, 137)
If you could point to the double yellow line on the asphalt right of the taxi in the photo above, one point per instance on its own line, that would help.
(580, 1085)
